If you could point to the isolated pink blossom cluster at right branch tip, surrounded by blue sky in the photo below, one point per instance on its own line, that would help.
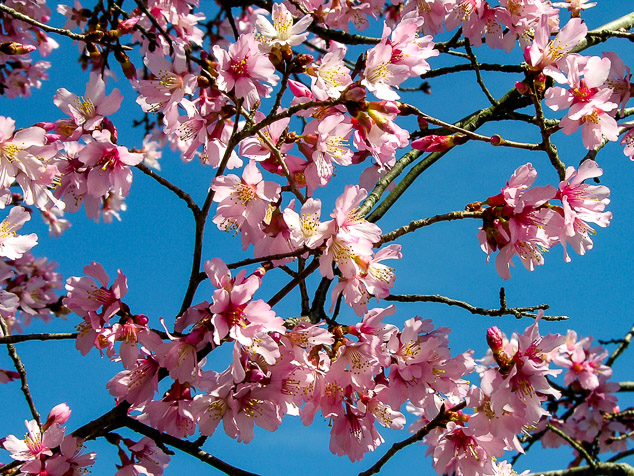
(522, 221)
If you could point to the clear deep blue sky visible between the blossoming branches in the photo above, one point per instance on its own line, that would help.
(152, 245)
